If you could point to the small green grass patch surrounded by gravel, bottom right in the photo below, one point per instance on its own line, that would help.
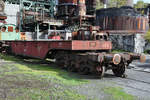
(118, 93)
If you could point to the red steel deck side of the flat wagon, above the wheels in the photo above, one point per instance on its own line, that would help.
(39, 49)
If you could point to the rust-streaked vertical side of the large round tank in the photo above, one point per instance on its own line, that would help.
(124, 23)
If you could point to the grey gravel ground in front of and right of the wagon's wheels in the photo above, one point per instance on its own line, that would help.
(137, 83)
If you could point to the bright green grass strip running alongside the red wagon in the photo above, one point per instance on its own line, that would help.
(45, 71)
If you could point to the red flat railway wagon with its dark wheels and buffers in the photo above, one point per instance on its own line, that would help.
(76, 56)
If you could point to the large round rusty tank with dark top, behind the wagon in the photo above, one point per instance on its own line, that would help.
(121, 19)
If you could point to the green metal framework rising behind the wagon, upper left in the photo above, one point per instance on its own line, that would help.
(34, 11)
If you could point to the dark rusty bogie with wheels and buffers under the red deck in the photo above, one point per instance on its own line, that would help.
(95, 63)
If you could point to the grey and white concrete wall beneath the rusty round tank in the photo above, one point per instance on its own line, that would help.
(130, 43)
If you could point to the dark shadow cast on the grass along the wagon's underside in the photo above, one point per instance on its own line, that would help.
(44, 65)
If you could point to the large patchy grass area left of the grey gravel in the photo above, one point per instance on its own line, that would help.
(27, 81)
